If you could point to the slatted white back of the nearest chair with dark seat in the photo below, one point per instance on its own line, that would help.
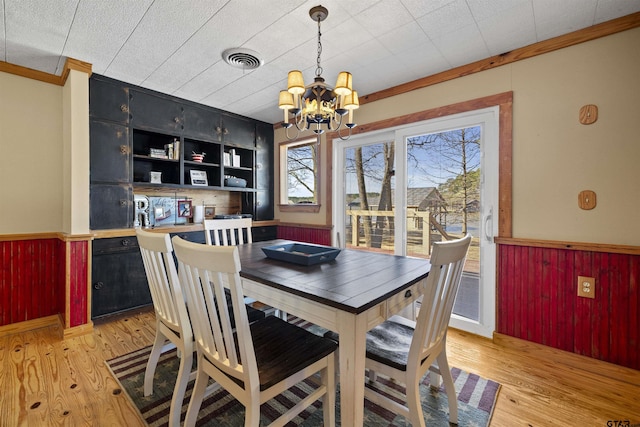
(205, 271)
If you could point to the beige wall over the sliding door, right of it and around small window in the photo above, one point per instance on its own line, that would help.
(554, 156)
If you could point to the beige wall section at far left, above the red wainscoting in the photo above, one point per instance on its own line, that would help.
(31, 190)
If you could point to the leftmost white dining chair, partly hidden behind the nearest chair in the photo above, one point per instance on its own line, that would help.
(173, 327)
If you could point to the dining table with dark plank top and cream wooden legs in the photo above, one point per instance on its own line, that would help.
(350, 295)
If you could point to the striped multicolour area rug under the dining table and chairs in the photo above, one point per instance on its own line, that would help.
(476, 397)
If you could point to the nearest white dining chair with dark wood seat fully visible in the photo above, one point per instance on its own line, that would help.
(254, 362)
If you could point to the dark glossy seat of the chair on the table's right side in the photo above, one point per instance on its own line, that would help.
(389, 342)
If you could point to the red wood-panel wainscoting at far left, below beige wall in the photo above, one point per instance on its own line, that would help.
(30, 280)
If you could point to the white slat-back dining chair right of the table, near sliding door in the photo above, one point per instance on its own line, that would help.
(405, 350)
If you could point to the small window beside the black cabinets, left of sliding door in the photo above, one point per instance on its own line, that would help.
(299, 176)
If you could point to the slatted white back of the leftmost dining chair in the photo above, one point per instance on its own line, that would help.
(166, 292)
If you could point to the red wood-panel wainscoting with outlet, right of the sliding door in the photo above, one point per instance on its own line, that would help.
(537, 301)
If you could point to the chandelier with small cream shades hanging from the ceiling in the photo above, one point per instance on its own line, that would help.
(316, 105)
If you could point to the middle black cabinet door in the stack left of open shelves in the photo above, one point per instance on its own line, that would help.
(109, 152)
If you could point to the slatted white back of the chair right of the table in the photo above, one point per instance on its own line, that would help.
(447, 263)
